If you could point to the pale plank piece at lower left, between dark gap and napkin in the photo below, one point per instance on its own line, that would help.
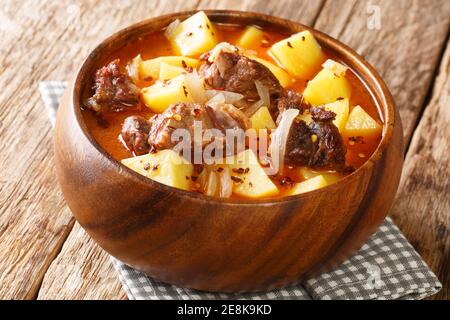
(81, 271)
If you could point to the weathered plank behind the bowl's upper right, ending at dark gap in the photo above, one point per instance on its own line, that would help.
(402, 39)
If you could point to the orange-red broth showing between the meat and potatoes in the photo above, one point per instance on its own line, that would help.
(155, 45)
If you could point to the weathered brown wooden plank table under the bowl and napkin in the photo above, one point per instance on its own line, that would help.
(45, 254)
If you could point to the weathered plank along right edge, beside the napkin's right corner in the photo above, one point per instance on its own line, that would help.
(422, 208)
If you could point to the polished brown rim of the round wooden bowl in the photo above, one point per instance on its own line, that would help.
(383, 98)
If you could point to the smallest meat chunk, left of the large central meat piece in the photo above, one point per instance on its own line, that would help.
(135, 132)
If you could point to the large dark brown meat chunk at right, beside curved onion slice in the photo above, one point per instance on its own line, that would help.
(318, 145)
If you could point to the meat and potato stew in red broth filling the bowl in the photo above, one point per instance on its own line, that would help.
(232, 111)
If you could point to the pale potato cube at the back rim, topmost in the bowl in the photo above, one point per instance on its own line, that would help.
(194, 35)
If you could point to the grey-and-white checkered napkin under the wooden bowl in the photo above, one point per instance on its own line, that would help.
(386, 267)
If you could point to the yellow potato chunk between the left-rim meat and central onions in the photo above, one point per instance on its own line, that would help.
(163, 93)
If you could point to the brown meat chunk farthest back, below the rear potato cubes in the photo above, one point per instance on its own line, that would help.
(234, 72)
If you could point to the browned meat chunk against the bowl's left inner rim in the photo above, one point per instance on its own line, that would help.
(114, 90)
